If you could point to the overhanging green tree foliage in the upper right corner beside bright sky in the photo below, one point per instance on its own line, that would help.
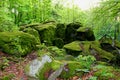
(105, 19)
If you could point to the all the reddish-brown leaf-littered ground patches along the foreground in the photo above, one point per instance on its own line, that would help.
(14, 68)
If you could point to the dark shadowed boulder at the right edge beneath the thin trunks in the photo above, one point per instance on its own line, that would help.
(112, 46)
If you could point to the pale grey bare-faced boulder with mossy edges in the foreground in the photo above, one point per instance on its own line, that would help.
(32, 69)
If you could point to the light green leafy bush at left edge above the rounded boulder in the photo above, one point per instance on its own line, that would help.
(6, 21)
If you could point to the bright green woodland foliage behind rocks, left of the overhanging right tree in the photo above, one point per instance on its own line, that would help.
(30, 11)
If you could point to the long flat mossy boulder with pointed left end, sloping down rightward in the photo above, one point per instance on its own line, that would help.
(88, 48)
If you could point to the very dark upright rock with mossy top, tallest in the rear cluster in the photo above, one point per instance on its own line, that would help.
(71, 32)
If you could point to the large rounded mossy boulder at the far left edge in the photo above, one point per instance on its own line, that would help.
(17, 43)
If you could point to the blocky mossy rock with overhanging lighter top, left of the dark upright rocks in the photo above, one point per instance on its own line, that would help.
(47, 33)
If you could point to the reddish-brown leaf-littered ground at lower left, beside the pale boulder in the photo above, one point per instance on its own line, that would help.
(14, 67)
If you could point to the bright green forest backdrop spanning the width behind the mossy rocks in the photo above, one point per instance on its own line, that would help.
(104, 19)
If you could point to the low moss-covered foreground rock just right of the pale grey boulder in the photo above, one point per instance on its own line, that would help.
(49, 68)
